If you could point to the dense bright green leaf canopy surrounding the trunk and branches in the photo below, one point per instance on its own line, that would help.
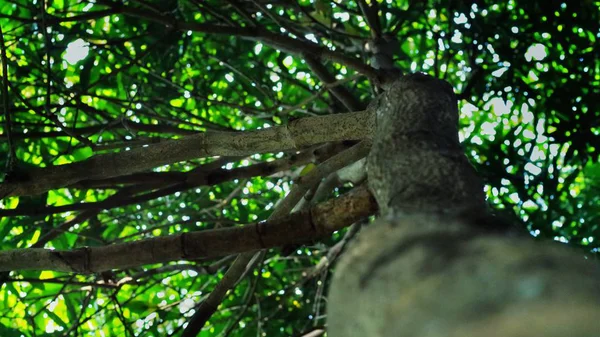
(90, 77)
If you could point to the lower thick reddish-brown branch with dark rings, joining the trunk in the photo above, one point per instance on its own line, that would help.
(306, 225)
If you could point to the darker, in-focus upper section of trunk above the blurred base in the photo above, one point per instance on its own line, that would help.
(416, 162)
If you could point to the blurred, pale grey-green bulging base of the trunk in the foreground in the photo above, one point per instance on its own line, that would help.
(429, 276)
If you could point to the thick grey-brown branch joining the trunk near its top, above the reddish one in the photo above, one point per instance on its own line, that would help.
(299, 134)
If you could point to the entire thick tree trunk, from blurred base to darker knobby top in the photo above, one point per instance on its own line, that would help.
(436, 263)
